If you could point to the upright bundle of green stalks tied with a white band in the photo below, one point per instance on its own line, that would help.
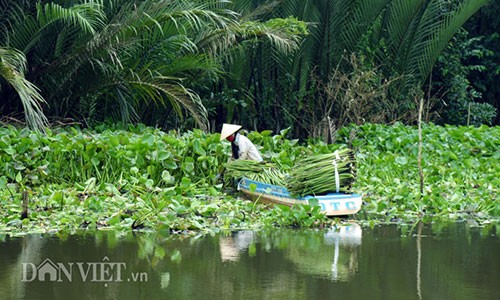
(323, 173)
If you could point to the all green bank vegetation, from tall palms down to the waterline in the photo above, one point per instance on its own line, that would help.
(122, 101)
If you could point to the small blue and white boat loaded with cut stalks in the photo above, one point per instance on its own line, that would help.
(332, 204)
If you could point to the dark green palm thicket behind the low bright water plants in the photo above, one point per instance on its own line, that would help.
(309, 65)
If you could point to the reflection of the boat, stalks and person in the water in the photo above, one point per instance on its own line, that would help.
(328, 254)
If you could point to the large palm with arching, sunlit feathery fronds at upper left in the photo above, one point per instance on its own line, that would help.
(130, 54)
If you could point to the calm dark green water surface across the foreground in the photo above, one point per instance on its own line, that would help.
(348, 262)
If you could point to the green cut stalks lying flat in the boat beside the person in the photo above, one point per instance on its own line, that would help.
(259, 171)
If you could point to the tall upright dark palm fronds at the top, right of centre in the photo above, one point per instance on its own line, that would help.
(403, 39)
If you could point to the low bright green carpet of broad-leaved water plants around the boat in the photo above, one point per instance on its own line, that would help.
(141, 177)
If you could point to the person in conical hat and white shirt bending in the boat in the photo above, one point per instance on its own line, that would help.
(241, 146)
